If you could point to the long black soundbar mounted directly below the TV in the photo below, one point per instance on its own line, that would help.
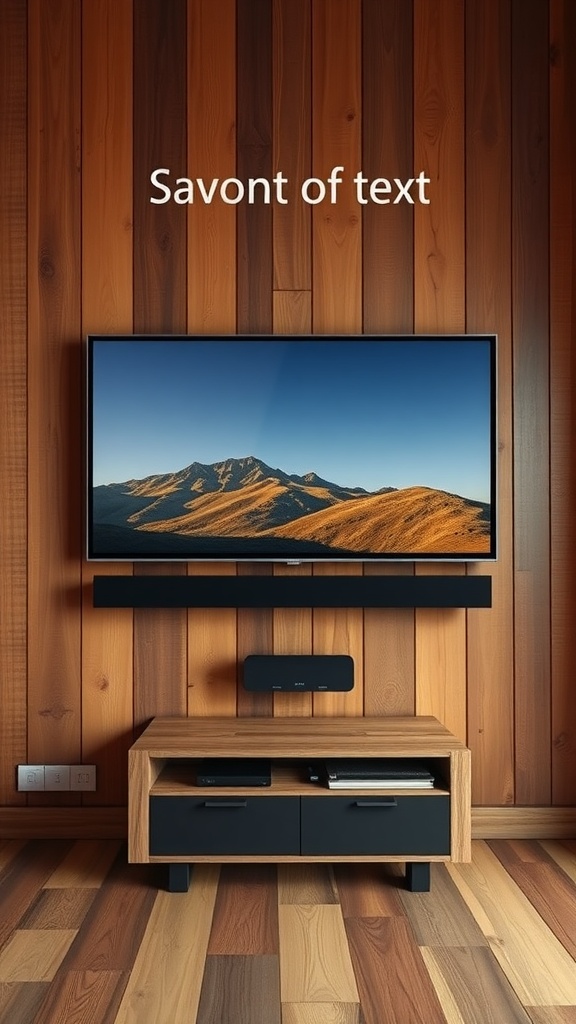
(293, 592)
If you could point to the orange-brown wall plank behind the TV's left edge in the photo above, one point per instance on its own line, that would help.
(107, 306)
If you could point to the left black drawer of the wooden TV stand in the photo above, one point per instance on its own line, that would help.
(226, 826)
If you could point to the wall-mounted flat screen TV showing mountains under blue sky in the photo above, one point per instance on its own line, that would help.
(292, 449)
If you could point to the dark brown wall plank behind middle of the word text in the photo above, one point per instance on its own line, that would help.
(388, 296)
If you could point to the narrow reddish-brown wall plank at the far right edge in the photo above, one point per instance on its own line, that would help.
(563, 429)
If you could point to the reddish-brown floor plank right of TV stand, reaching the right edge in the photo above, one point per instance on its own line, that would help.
(548, 888)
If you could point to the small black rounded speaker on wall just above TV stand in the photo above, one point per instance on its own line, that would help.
(299, 672)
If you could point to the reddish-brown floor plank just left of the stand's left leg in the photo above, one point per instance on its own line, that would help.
(111, 934)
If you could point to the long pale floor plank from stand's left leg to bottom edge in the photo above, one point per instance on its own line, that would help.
(167, 980)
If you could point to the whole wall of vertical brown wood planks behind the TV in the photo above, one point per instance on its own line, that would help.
(481, 96)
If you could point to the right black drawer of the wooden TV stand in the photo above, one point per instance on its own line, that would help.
(376, 826)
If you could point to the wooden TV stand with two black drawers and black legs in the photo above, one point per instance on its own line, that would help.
(175, 822)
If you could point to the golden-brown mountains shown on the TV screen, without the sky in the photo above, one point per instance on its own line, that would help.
(245, 508)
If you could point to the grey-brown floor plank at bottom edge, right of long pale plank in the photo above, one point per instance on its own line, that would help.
(240, 990)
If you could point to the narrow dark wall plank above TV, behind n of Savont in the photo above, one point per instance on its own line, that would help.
(255, 160)
